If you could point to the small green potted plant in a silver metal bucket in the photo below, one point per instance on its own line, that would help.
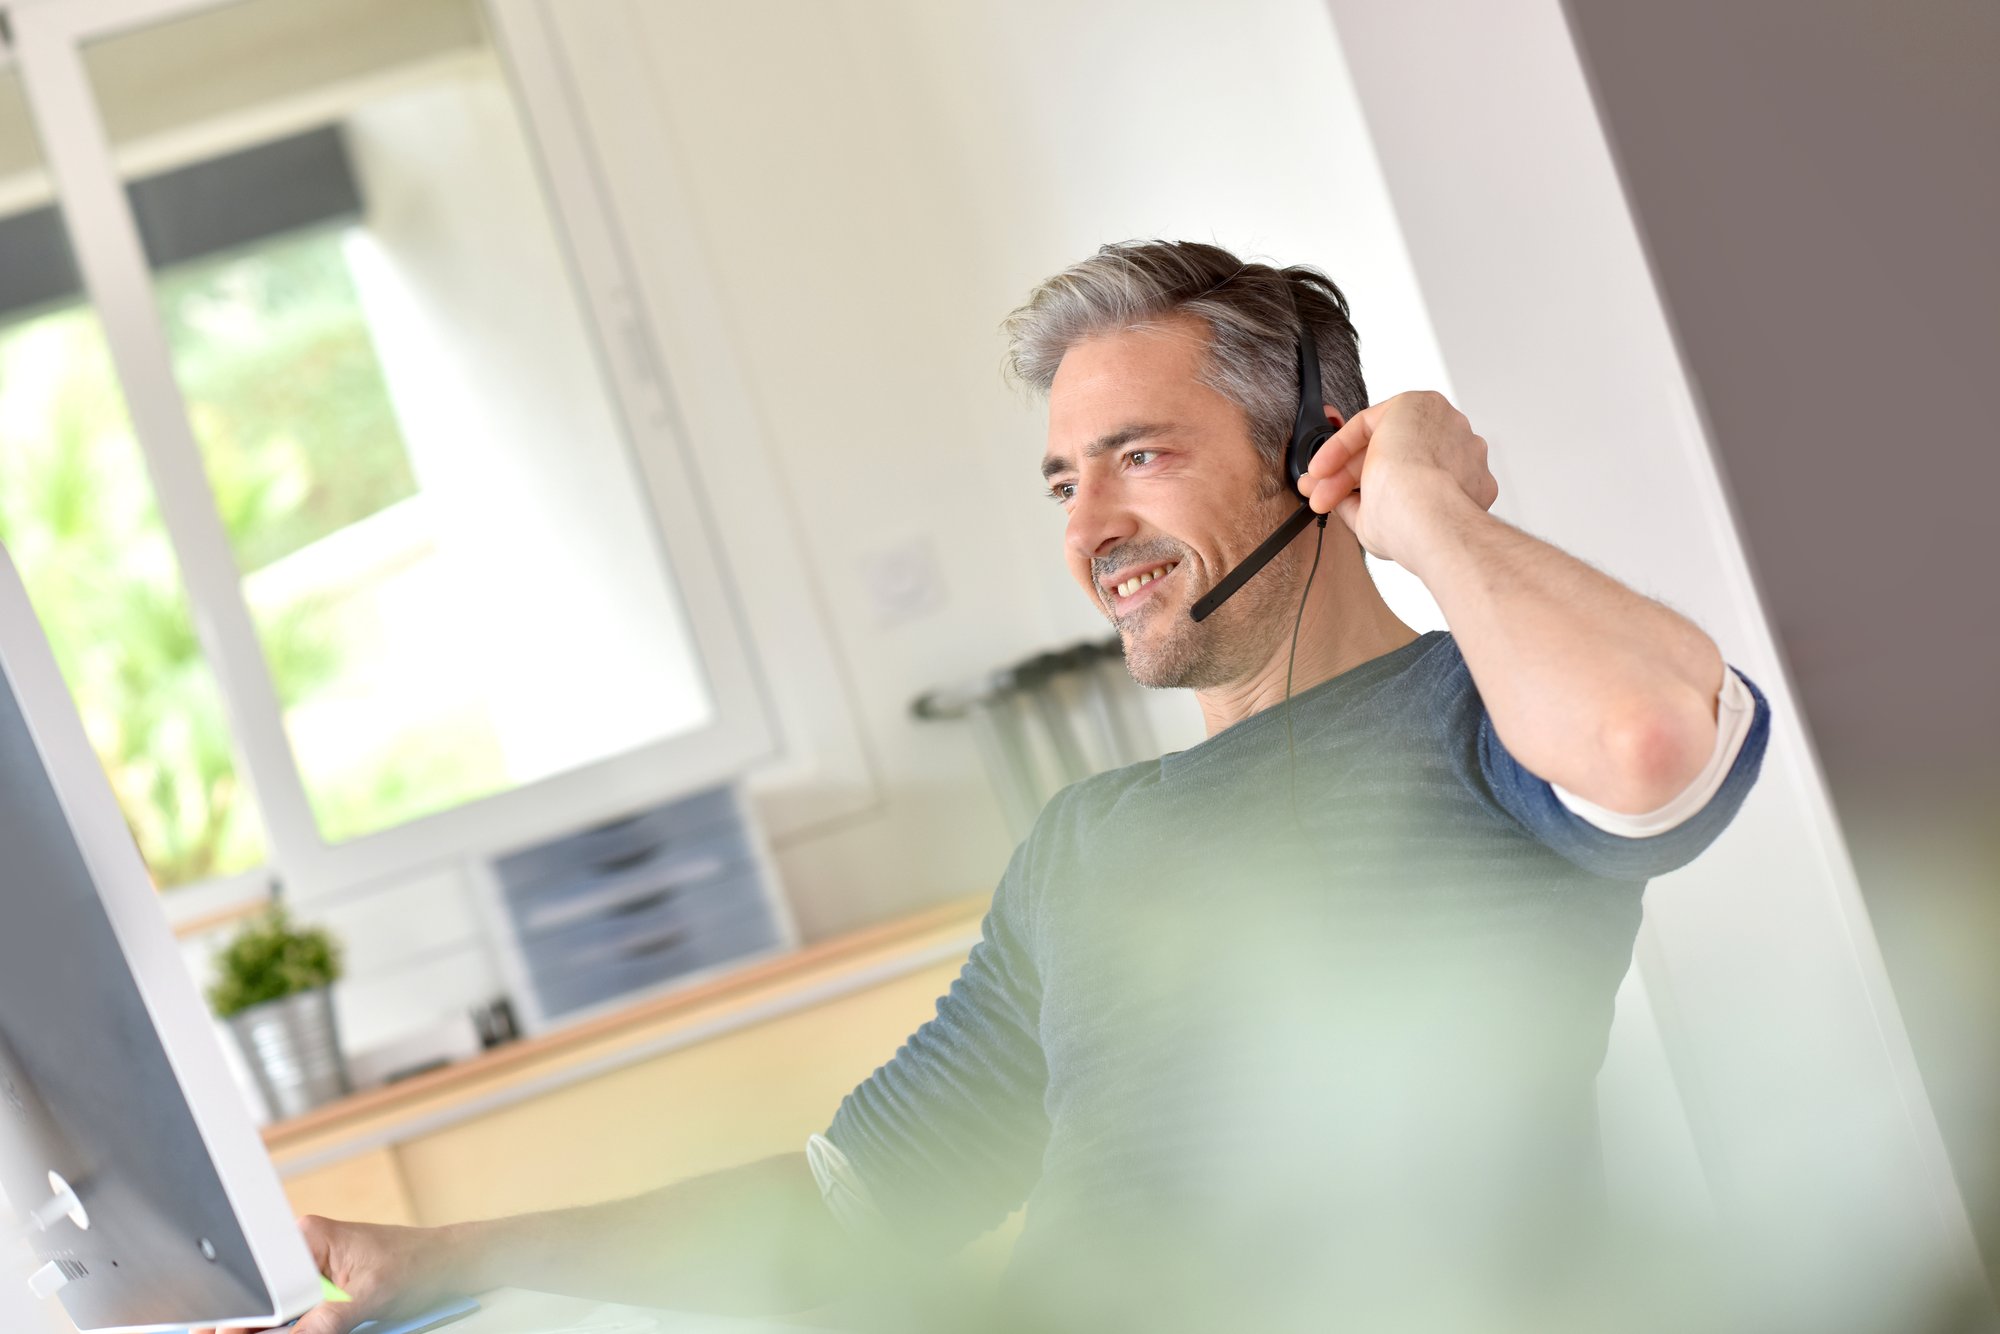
(275, 989)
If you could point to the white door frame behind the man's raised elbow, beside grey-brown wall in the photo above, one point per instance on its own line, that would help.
(1789, 1055)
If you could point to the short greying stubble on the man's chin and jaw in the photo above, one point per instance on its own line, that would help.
(1167, 649)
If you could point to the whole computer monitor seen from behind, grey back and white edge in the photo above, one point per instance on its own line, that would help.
(111, 1077)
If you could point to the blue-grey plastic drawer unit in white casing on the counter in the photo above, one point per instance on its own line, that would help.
(633, 907)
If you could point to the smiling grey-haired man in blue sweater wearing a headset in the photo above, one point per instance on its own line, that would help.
(1305, 1017)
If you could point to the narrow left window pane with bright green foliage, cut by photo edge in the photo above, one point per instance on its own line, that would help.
(81, 523)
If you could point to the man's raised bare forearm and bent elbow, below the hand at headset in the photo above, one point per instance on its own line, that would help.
(1591, 687)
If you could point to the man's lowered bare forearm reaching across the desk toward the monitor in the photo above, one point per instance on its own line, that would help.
(745, 1241)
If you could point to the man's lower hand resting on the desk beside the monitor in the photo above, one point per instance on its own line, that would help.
(391, 1273)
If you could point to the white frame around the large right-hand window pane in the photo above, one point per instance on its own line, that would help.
(47, 53)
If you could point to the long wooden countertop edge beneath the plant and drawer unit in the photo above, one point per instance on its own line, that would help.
(539, 1065)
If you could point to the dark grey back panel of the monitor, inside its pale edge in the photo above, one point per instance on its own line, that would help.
(87, 1087)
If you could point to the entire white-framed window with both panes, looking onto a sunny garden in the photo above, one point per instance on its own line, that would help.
(361, 343)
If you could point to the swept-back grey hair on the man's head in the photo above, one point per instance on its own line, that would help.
(1253, 315)
